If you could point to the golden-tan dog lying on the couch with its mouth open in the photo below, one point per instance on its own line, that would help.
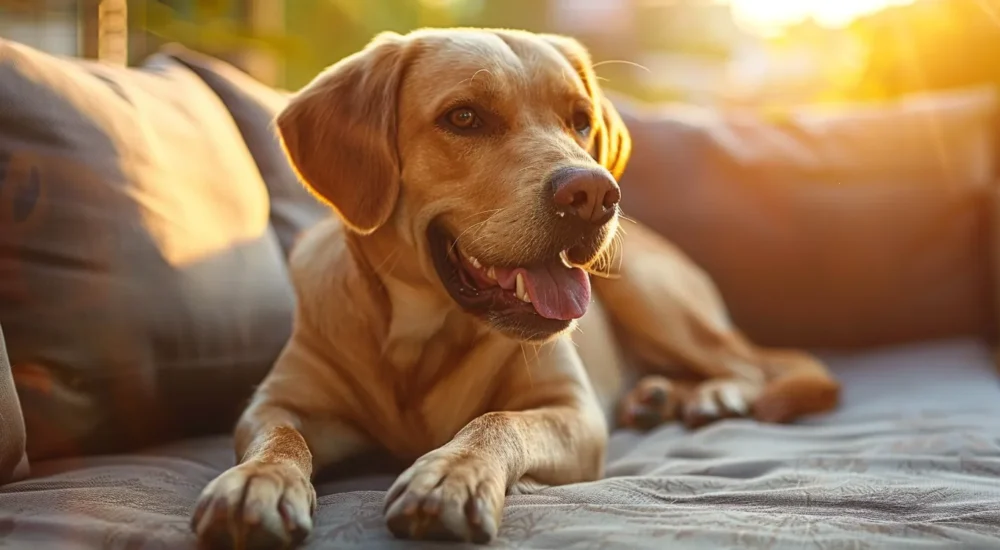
(478, 302)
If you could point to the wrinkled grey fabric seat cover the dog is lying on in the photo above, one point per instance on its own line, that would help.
(912, 460)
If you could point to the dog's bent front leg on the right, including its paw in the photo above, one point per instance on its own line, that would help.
(552, 432)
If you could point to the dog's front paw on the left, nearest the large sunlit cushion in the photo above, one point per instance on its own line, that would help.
(255, 505)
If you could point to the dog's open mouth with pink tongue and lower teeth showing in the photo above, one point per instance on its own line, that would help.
(546, 295)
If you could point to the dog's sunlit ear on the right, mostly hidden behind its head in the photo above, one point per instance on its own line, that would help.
(612, 143)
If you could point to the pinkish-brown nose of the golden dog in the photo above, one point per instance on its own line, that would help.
(585, 193)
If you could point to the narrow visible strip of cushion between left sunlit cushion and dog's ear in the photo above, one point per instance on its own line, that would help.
(254, 106)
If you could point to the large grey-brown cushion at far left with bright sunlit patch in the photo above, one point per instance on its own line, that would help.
(142, 290)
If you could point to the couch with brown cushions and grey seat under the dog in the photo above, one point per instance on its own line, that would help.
(146, 215)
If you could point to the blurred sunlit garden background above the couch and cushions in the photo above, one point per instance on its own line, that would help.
(721, 53)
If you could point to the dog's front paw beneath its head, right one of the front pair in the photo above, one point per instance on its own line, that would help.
(447, 496)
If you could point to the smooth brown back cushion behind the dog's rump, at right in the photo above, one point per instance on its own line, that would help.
(863, 226)
